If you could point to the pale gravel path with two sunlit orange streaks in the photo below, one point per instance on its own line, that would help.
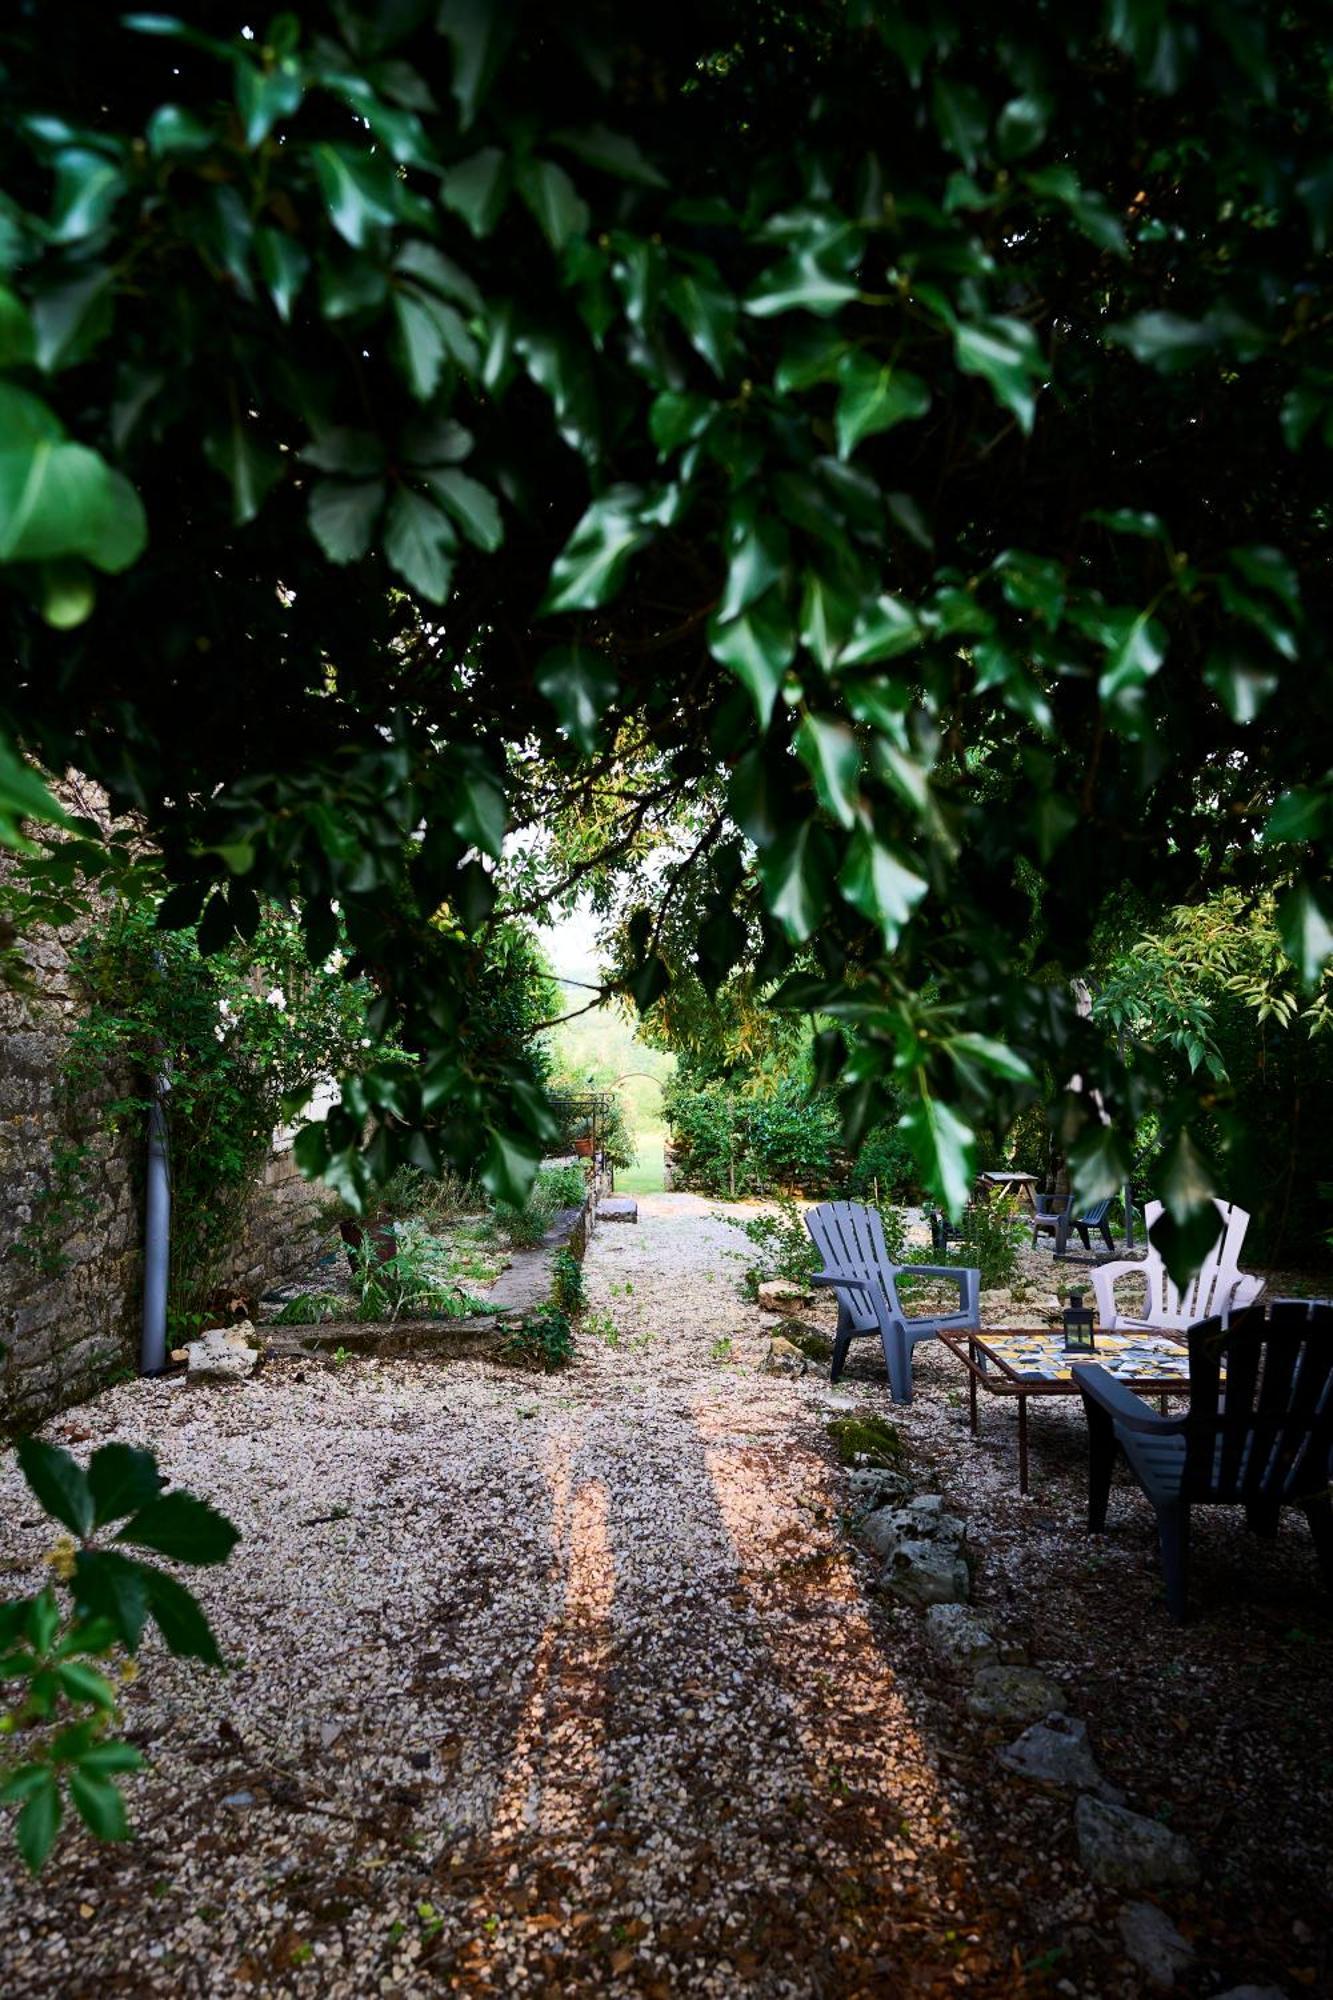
(557, 1687)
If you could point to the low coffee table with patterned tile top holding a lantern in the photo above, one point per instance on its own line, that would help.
(1022, 1361)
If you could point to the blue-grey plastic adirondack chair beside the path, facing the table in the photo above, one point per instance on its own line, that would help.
(858, 1267)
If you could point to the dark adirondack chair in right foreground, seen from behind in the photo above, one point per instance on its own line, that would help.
(1260, 1439)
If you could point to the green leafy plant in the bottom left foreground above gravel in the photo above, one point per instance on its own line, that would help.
(61, 1721)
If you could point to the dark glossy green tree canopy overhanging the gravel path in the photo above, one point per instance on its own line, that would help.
(898, 435)
